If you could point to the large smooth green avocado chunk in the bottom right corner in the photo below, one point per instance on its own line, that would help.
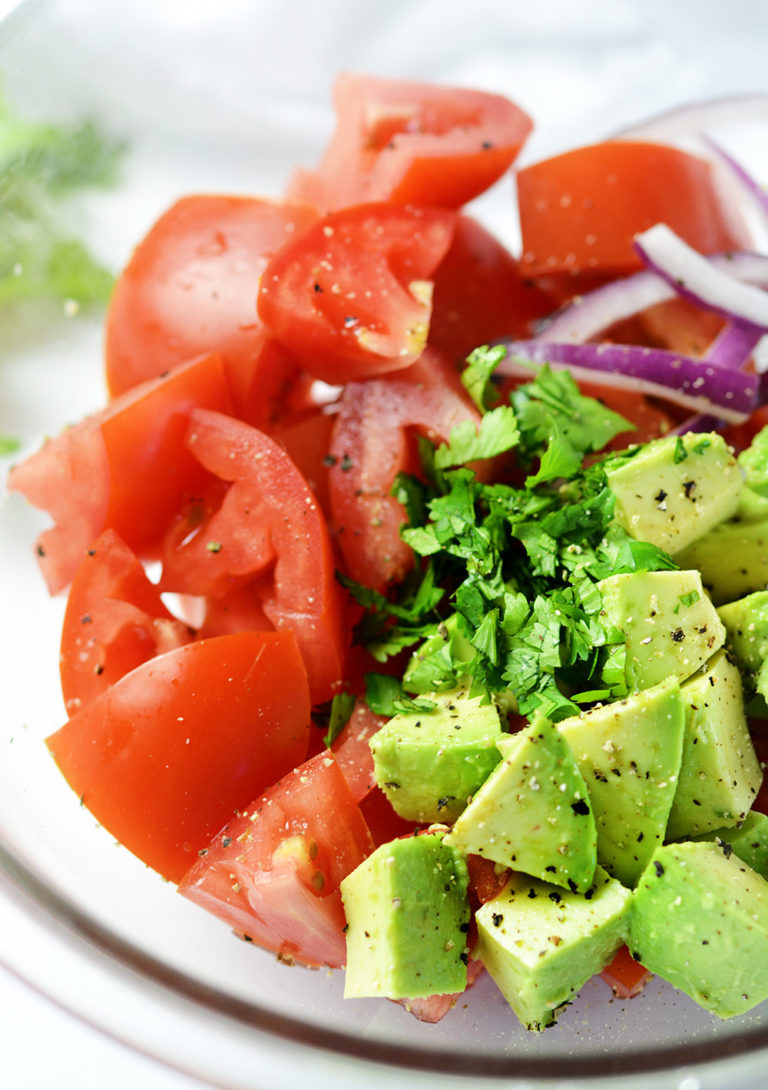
(700, 921)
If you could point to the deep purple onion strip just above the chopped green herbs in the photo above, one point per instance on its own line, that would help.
(702, 386)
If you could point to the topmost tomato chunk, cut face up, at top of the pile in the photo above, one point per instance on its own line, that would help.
(406, 142)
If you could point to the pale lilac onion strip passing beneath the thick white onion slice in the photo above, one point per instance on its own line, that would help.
(588, 316)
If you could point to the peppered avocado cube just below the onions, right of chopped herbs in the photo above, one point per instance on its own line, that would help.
(676, 489)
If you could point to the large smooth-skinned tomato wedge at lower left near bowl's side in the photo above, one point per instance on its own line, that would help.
(164, 757)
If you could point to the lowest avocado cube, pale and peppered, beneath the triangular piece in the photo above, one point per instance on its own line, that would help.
(542, 944)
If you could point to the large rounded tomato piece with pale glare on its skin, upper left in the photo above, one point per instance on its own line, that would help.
(191, 287)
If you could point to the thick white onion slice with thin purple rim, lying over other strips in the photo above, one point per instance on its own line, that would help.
(697, 280)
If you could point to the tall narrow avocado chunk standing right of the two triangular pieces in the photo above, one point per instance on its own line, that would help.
(720, 774)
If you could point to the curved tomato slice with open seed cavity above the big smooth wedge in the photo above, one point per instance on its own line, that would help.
(269, 515)
